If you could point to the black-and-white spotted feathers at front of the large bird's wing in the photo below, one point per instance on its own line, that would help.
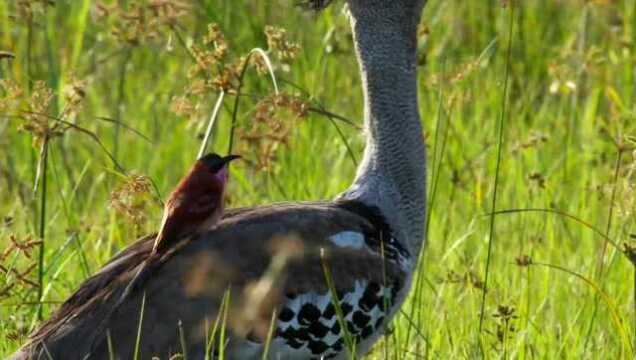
(309, 322)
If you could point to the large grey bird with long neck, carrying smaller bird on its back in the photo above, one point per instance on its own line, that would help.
(304, 281)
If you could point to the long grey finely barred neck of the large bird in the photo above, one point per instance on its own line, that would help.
(392, 174)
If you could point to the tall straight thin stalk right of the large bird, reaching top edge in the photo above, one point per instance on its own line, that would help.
(500, 143)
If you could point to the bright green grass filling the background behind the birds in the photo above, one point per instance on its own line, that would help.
(560, 153)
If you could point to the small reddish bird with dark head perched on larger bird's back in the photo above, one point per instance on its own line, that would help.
(197, 202)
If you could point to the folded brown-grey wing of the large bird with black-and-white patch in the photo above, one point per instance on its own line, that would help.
(254, 262)
